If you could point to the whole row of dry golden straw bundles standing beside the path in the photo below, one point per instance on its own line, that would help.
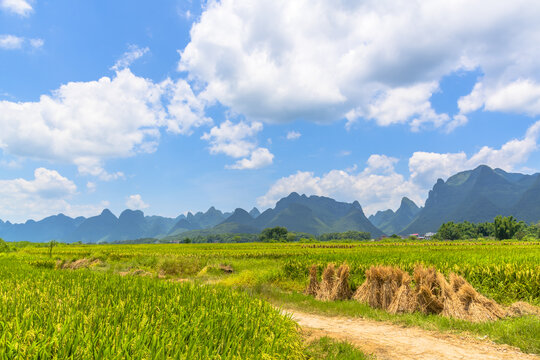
(390, 288)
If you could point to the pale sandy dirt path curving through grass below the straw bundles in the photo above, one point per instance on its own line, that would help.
(389, 341)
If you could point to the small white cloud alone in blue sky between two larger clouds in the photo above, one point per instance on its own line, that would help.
(237, 141)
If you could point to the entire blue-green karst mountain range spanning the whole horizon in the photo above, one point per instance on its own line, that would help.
(476, 195)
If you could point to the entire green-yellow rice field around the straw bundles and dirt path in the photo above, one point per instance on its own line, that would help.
(177, 300)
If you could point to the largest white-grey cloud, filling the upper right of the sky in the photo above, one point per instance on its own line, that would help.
(322, 60)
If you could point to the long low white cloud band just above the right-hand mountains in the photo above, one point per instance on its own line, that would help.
(379, 186)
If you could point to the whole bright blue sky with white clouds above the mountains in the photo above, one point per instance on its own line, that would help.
(175, 106)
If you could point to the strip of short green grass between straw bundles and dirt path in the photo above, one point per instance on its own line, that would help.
(522, 332)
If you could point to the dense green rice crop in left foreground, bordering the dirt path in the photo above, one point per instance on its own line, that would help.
(88, 315)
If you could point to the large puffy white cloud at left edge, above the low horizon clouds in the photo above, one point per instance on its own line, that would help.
(86, 123)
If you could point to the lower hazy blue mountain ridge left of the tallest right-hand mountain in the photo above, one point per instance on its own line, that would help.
(315, 215)
